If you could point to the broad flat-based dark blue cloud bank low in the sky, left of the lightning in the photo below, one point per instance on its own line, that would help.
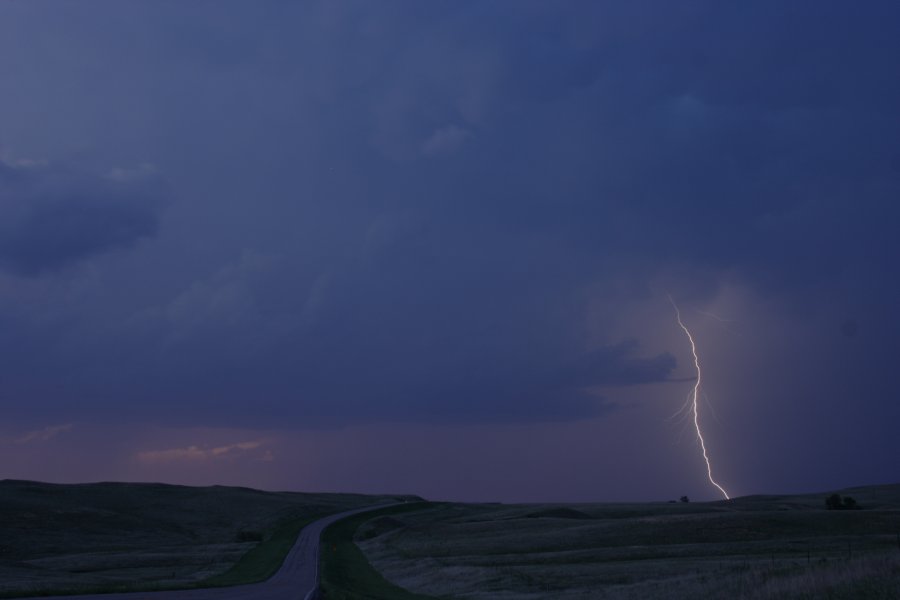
(361, 347)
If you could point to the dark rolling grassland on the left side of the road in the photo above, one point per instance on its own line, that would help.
(122, 537)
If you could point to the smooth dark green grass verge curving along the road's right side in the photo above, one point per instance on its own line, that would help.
(345, 572)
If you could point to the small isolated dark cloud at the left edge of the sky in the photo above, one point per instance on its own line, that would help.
(51, 217)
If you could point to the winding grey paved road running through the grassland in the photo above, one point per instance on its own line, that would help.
(296, 579)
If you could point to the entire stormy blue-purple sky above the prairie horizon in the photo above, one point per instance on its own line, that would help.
(425, 247)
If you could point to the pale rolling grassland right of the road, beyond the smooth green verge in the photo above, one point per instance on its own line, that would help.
(758, 547)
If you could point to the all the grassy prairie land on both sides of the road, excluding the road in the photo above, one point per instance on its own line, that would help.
(119, 537)
